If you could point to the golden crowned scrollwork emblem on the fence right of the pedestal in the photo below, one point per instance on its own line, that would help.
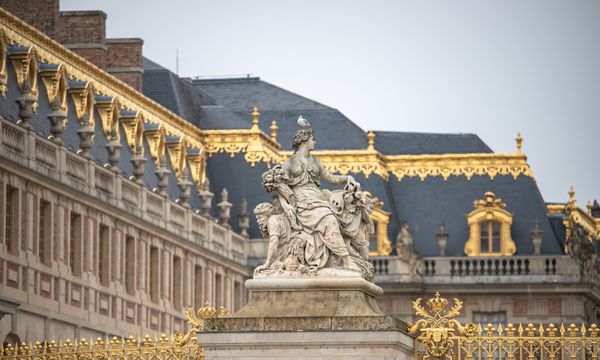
(437, 327)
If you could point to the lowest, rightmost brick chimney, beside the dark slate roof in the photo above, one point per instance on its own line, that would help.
(125, 60)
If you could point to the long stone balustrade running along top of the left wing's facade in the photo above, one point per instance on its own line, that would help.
(25, 147)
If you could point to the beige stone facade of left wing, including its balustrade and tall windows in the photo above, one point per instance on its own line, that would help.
(101, 255)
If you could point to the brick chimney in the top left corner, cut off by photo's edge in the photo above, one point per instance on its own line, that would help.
(41, 14)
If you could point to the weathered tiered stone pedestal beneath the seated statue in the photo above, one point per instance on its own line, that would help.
(330, 316)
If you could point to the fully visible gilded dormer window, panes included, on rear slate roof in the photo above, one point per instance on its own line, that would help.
(489, 226)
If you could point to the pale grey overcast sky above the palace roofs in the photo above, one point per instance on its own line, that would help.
(492, 68)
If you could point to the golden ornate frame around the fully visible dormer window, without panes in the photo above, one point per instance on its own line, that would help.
(489, 209)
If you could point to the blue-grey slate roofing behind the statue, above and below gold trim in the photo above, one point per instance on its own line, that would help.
(424, 205)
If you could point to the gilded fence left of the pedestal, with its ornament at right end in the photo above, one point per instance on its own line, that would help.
(178, 346)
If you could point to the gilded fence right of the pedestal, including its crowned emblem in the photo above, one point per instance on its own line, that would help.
(440, 336)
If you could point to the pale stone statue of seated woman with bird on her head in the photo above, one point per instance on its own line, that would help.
(314, 228)
